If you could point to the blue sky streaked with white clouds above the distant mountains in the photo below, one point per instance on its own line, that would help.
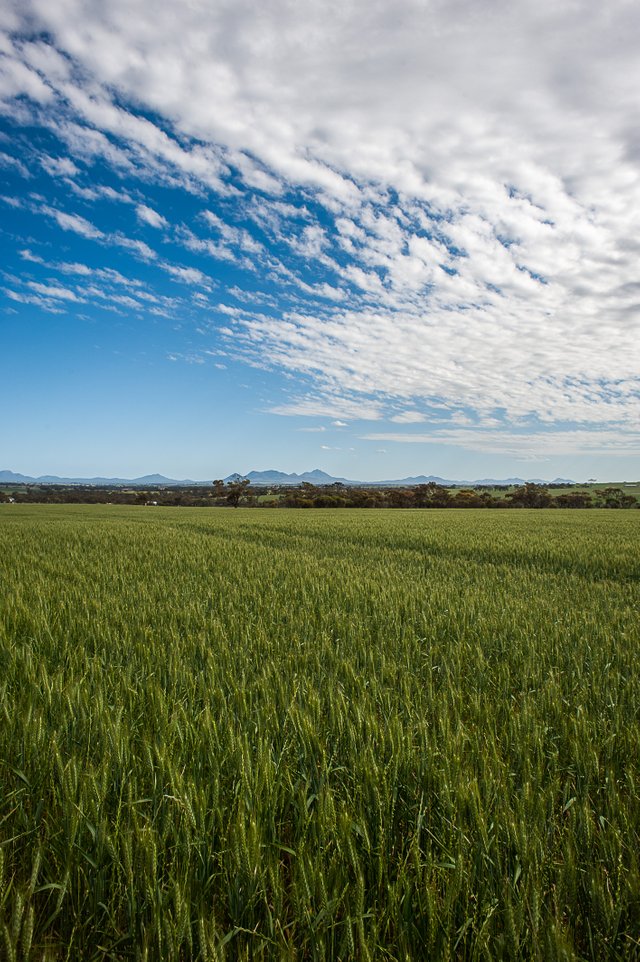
(382, 239)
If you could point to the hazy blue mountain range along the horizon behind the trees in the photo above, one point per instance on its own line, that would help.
(266, 479)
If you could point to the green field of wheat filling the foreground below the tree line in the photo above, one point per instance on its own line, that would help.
(247, 734)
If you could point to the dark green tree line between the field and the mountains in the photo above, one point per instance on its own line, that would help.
(336, 495)
